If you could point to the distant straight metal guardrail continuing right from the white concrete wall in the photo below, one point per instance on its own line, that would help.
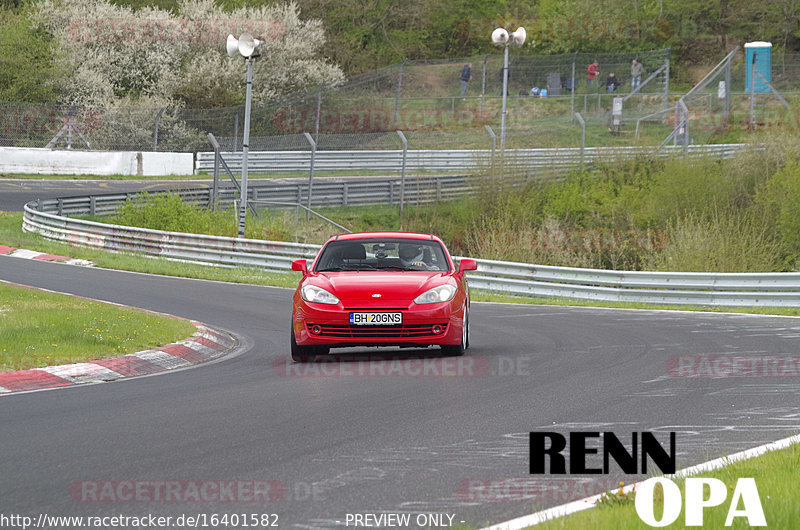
(444, 161)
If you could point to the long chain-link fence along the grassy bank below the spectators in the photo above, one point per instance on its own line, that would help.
(423, 99)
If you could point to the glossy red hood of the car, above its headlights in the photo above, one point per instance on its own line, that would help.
(391, 285)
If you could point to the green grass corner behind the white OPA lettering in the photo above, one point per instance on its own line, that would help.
(775, 474)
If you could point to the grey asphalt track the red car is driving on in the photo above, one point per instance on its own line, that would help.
(339, 442)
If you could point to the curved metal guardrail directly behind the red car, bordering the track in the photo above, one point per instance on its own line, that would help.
(712, 289)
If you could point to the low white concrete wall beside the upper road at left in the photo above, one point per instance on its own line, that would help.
(50, 162)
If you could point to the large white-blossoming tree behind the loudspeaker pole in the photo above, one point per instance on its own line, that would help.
(158, 58)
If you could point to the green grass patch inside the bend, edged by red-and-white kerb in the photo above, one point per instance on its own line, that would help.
(40, 328)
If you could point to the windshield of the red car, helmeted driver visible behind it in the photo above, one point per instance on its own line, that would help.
(382, 254)
